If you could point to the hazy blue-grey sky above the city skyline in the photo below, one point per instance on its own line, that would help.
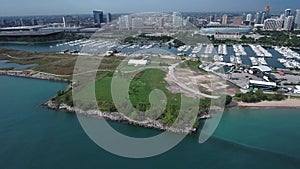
(45, 7)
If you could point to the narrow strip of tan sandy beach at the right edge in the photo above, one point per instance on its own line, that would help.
(288, 103)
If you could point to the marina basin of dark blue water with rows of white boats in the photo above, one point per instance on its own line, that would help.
(282, 57)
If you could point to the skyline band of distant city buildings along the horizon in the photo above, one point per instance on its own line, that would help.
(288, 20)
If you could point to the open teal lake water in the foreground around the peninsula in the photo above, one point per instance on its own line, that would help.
(32, 137)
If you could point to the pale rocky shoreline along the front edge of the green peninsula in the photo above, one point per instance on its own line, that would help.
(119, 117)
